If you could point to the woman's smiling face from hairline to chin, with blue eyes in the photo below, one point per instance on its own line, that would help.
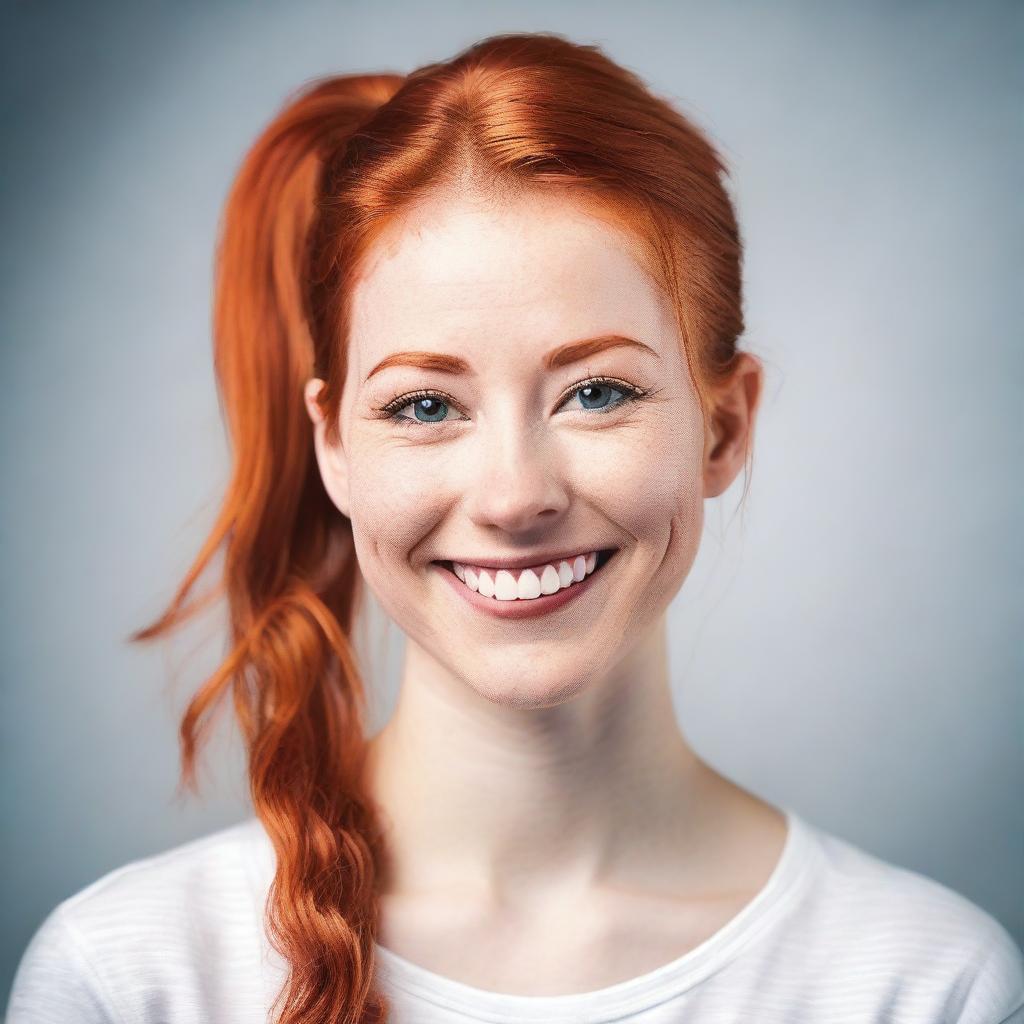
(474, 433)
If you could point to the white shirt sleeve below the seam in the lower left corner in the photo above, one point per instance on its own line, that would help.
(56, 984)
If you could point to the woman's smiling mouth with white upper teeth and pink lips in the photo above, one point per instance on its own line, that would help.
(515, 593)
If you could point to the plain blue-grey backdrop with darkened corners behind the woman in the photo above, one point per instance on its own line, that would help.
(847, 646)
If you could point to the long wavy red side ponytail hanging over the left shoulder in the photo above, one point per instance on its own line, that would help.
(290, 574)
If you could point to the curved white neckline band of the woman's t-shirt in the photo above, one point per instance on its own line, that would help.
(774, 901)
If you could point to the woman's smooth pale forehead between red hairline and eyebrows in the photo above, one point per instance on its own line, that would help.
(464, 275)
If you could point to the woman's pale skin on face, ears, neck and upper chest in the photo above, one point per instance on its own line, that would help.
(550, 828)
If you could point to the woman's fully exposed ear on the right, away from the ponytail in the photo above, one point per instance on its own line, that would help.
(737, 404)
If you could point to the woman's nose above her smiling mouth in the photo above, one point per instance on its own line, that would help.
(520, 483)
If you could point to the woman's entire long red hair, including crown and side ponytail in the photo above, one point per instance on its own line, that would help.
(345, 157)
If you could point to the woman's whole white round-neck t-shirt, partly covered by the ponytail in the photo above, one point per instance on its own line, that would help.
(836, 935)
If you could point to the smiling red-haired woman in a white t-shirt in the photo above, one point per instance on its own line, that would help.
(477, 336)
